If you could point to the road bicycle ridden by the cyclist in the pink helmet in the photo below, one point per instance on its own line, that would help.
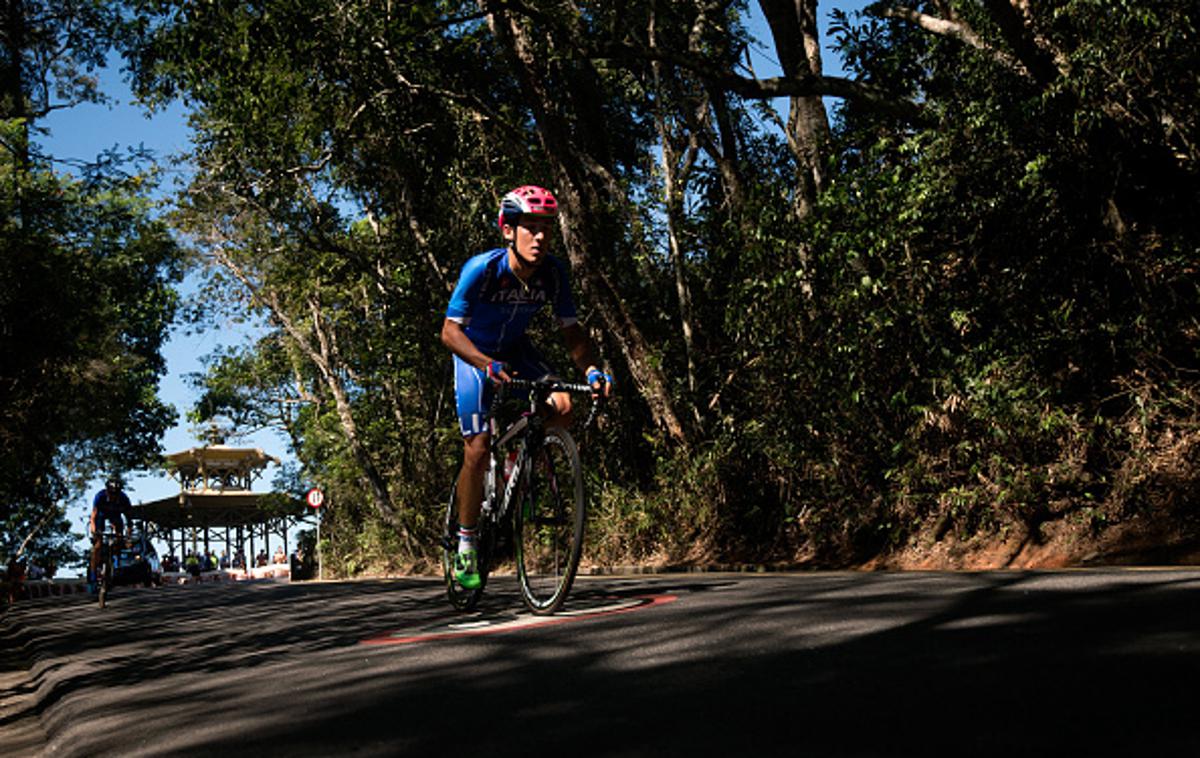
(533, 503)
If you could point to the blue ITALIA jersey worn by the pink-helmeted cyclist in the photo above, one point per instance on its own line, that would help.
(495, 306)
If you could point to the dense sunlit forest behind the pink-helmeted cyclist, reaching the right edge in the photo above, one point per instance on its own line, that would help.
(959, 309)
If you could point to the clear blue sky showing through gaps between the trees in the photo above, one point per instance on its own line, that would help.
(83, 133)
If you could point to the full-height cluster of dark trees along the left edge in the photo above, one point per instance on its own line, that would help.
(87, 297)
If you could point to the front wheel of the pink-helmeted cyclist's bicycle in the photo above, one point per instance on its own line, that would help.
(549, 522)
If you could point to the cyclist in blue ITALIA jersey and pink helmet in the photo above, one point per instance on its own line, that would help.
(497, 296)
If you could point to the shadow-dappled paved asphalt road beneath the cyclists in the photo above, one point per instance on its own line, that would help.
(1006, 664)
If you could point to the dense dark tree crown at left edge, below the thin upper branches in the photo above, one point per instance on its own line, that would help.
(85, 318)
